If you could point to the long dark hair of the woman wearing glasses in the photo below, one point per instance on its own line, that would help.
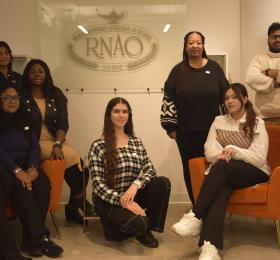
(19, 120)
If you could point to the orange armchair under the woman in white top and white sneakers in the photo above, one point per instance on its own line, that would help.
(261, 200)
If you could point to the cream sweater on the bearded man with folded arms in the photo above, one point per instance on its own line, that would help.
(267, 95)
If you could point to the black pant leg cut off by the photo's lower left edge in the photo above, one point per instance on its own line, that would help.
(7, 244)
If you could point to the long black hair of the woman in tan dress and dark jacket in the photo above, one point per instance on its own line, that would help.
(49, 89)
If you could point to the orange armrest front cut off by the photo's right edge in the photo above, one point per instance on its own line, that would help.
(274, 192)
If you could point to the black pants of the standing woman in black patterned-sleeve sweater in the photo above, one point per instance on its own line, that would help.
(191, 145)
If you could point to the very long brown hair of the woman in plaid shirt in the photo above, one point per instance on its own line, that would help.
(110, 138)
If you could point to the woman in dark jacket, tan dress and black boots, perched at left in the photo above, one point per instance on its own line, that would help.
(47, 107)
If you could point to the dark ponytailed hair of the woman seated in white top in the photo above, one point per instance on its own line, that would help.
(240, 91)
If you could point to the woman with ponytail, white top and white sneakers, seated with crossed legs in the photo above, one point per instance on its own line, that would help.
(236, 148)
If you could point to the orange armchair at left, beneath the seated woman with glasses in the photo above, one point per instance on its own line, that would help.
(55, 171)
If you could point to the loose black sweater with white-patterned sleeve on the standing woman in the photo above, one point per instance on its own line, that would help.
(192, 97)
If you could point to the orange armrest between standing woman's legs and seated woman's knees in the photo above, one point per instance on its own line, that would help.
(197, 167)
